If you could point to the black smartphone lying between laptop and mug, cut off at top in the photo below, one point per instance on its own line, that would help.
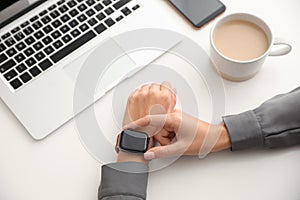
(199, 12)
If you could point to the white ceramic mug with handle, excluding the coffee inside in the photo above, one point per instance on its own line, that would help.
(238, 70)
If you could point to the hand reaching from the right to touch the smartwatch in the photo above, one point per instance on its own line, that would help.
(190, 134)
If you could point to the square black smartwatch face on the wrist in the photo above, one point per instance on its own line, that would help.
(134, 141)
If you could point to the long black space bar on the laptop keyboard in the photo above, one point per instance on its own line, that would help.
(72, 46)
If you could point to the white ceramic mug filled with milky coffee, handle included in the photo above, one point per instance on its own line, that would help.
(240, 43)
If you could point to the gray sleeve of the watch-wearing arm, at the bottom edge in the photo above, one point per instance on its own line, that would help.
(123, 181)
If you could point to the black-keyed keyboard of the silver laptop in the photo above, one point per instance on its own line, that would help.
(28, 50)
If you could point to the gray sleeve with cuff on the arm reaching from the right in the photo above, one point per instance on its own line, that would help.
(276, 123)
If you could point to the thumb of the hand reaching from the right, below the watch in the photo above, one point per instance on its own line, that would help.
(162, 152)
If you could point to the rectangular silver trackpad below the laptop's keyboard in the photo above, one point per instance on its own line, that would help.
(100, 69)
